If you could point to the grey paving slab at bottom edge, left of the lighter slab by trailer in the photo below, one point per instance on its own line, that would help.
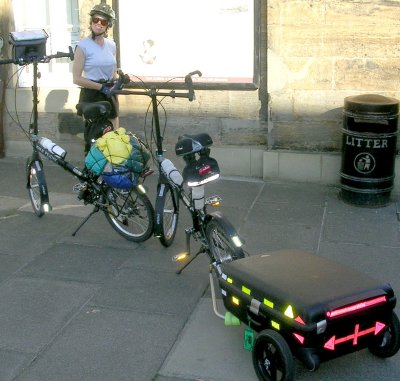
(102, 345)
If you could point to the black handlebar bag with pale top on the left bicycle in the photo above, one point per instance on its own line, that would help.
(28, 44)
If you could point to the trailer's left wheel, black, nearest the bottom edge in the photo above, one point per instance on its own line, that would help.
(272, 357)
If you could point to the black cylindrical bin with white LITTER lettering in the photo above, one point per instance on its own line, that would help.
(368, 149)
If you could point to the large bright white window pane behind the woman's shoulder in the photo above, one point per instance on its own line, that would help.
(160, 39)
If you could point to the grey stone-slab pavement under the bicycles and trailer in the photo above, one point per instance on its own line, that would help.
(98, 307)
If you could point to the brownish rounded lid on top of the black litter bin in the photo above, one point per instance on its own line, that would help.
(367, 104)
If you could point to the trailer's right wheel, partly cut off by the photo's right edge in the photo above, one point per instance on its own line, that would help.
(387, 342)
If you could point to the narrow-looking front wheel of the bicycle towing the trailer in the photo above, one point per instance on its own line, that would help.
(167, 214)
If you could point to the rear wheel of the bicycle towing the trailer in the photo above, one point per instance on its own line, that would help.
(220, 236)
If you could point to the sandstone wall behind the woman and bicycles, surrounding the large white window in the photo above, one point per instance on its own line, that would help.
(313, 54)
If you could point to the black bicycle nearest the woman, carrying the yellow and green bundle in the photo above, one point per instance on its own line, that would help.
(129, 211)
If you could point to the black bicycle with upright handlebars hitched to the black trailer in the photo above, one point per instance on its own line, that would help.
(197, 210)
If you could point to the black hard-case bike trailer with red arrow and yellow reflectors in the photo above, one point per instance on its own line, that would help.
(322, 309)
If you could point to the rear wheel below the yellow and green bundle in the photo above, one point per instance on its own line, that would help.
(131, 214)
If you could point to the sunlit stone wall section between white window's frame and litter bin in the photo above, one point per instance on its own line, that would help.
(319, 52)
